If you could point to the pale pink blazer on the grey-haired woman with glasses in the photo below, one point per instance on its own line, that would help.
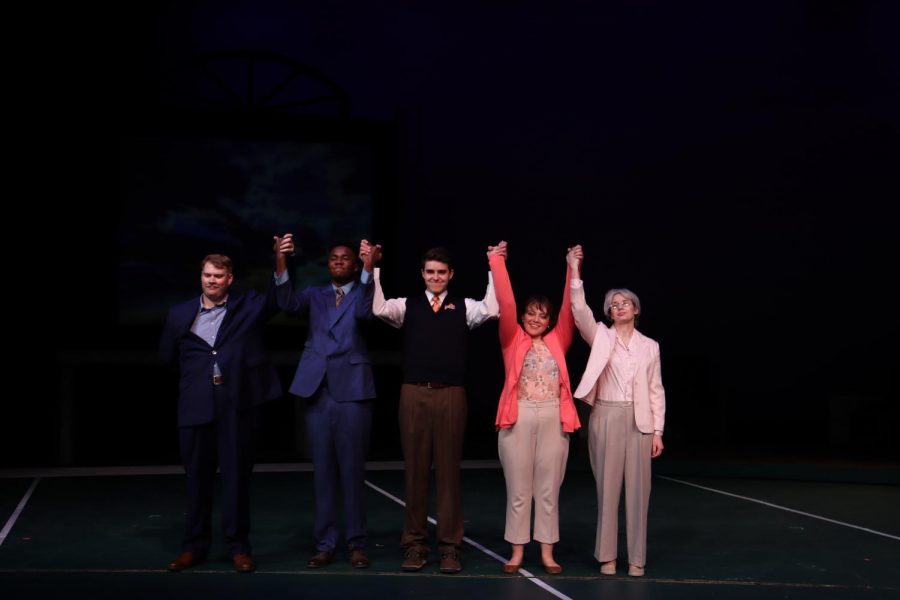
(648, 393)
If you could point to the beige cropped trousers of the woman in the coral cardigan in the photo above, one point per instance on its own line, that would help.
(533, 453)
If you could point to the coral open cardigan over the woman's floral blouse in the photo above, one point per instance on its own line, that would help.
(516, 343)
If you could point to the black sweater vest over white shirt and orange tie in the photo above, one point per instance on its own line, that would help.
(434, 343)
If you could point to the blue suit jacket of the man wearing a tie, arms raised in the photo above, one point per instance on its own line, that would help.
(334, 345)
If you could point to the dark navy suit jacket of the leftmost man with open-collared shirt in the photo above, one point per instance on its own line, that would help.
(249, 375)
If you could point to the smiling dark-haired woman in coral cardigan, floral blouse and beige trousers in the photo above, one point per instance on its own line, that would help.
(535, 415)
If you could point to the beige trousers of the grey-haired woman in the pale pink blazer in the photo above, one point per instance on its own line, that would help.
(619, 451)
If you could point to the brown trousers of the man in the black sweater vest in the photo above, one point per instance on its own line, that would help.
(432, 426)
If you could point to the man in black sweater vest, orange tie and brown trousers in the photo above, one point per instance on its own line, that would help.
(432, 400)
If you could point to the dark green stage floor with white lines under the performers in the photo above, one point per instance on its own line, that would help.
(84, 534)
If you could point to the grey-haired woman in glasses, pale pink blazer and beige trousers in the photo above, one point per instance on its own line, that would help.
(623, 383)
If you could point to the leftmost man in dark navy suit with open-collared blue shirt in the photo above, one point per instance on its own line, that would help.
(224, 373)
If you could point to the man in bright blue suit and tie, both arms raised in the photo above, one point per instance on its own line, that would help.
(335, 374)
